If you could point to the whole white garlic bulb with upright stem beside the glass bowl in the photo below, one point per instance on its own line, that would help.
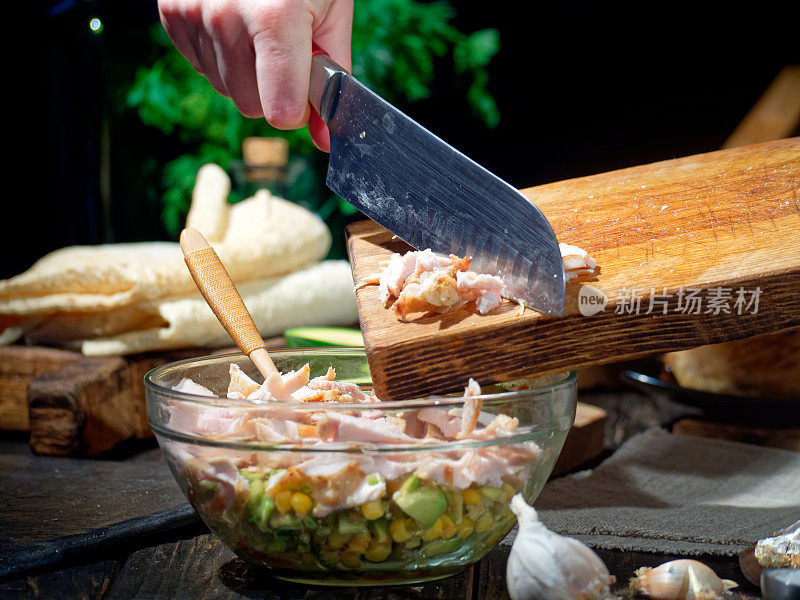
(546, 566)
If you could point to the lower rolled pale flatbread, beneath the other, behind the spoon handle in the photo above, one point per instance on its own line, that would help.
(320, 294)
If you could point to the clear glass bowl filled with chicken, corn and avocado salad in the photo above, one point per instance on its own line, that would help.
(382, 511)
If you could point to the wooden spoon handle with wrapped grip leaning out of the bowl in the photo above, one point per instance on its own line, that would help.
(218, 290)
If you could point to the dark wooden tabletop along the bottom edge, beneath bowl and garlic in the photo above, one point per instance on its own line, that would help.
(201, 567)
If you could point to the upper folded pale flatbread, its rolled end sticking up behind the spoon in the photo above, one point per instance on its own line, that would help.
(264, 236)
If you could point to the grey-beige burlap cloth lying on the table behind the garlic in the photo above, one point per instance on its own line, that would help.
(677, 495)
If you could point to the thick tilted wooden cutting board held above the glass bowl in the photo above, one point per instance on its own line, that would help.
(718, 223)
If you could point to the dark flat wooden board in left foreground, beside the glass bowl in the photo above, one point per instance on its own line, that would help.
(54, 510)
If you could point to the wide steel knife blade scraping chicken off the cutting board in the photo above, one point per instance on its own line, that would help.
(431, 195)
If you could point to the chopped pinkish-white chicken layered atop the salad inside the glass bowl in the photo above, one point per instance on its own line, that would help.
(313, 418)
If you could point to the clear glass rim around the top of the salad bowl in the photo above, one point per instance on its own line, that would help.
(569, 380)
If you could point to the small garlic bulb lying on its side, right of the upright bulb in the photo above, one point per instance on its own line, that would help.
(683, 579)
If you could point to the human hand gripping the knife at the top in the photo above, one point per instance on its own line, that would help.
(258, 52)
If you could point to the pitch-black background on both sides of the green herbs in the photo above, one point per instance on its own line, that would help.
(583, 87)
